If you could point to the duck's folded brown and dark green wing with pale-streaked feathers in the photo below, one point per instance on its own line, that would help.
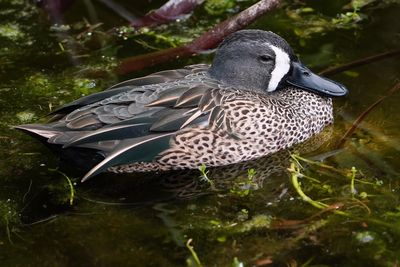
(136, 126)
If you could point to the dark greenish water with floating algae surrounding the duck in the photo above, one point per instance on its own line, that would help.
(144, 220)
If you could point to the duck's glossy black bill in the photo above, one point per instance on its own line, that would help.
(304, 78)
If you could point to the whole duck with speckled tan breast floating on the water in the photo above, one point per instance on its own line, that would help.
(255, 99)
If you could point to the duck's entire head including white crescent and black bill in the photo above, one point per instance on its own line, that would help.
(263, 61)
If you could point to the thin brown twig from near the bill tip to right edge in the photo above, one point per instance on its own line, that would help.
(359, 62)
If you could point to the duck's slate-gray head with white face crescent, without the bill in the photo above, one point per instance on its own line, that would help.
(253, 59)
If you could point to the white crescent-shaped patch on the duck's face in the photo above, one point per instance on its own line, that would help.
(282, 66)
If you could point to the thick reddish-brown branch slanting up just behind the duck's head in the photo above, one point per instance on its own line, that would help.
(207, 40)
